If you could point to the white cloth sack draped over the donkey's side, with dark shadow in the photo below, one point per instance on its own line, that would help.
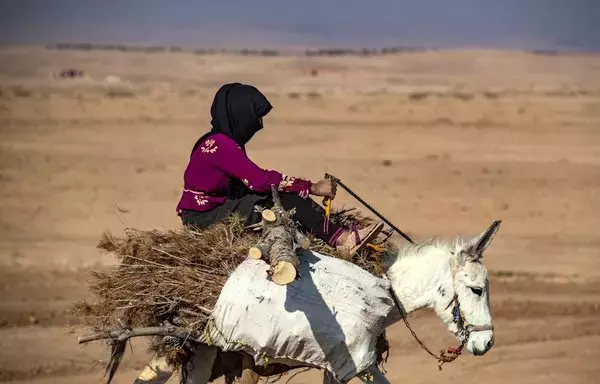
(329, 318)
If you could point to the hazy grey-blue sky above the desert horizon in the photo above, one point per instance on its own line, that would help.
(535, 24)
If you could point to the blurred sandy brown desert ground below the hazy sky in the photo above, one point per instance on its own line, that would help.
(441, 142)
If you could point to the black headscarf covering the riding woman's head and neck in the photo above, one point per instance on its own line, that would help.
(236, 111)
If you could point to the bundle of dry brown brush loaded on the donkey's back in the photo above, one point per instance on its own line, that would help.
(168, 281)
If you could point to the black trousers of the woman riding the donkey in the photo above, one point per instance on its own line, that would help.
(309, 214)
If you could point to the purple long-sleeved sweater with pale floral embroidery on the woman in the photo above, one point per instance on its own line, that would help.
(219, 159)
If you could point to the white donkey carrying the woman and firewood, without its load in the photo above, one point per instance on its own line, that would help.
(449, 278)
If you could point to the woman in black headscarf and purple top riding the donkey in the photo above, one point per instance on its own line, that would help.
(220, 179)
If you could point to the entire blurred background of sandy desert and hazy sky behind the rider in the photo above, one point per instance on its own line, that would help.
(444, 115)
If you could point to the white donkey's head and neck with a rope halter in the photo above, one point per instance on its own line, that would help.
(451, 279)
